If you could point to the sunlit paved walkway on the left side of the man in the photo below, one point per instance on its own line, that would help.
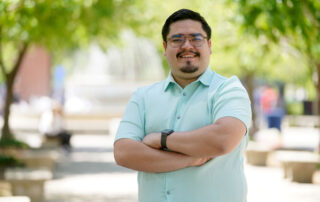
(89, 173)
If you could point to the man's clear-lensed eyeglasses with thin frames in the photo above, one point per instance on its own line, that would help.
(178, 40)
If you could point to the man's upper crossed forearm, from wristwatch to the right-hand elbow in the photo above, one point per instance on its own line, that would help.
(209, 141)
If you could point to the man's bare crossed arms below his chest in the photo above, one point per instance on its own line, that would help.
(190, 148)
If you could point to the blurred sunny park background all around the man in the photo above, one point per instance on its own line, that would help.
(80, 61)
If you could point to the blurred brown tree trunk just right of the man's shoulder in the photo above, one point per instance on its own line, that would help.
(249, 82)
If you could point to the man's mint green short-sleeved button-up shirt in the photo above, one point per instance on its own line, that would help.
(165, 105)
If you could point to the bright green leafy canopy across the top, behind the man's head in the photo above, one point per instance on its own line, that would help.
(60, 25)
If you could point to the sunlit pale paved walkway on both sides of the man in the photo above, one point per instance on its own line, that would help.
(89, 173)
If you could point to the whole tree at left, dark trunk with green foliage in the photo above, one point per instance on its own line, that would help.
(57, 25)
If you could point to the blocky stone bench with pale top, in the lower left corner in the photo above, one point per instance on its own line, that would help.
(28, 182)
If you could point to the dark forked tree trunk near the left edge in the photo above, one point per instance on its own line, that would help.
(9, 78)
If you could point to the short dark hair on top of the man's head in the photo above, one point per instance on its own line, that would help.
(184, 14)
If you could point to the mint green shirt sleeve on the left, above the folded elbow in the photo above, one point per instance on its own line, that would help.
(132, 123)
